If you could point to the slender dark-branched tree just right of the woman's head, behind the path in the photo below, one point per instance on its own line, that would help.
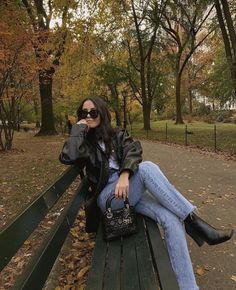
(140, 42)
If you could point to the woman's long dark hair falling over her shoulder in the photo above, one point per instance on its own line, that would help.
(104, 130)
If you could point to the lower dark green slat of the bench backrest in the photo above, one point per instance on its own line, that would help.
(40, 266)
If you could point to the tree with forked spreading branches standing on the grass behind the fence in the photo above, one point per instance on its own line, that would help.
(183, 21)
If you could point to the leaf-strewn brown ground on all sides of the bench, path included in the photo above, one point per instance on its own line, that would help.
(208, 180)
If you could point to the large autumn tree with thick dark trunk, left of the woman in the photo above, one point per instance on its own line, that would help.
(48, 46)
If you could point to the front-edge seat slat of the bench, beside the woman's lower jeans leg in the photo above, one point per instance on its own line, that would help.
(161, 258)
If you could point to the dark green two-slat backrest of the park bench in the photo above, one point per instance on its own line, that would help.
(15, 233)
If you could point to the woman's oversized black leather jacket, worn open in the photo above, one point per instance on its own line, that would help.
(78, 150)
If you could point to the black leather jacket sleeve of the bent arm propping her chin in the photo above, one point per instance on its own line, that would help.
(75, 146)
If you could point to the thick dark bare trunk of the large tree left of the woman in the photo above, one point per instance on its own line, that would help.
(47, 118)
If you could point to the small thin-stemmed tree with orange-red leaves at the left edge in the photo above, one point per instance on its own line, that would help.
(16, 71)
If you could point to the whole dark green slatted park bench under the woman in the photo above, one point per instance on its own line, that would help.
(137, 262)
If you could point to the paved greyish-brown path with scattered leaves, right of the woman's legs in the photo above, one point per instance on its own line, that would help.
(209, 181)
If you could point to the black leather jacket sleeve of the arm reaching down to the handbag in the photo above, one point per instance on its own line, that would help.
(131, 153)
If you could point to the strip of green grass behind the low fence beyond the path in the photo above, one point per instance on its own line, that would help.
(199, 134)
